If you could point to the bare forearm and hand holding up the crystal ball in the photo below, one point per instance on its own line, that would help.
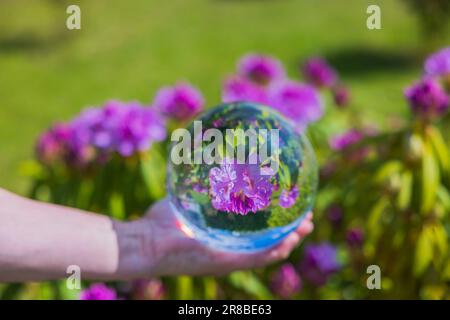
(39, 241)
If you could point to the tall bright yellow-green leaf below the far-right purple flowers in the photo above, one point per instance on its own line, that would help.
(430, 179)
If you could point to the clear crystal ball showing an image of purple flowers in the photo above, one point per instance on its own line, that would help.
(241, 177)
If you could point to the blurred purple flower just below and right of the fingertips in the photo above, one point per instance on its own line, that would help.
(319, 263)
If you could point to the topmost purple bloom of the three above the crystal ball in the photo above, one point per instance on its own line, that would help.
(260, 69)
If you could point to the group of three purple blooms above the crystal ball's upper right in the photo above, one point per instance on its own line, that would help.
(262, 79)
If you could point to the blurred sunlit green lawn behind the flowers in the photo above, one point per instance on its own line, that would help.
(127, 49)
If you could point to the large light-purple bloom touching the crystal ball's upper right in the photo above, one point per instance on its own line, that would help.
(298, 102)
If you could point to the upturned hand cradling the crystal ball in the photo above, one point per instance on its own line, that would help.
(164, 249)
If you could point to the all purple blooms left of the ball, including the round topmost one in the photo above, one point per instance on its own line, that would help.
(117, 127)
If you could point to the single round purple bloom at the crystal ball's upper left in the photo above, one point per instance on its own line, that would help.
(180, 102)
